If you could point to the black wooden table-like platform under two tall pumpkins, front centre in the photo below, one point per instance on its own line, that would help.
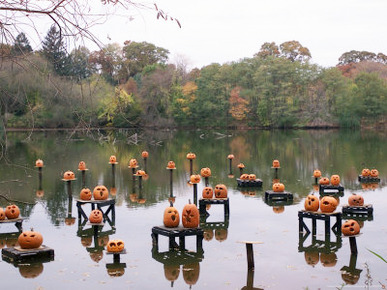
(179, 232)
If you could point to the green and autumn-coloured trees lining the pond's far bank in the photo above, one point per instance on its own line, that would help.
(134, 85)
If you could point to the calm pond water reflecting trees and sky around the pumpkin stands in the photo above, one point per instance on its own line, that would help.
(284, 258)
